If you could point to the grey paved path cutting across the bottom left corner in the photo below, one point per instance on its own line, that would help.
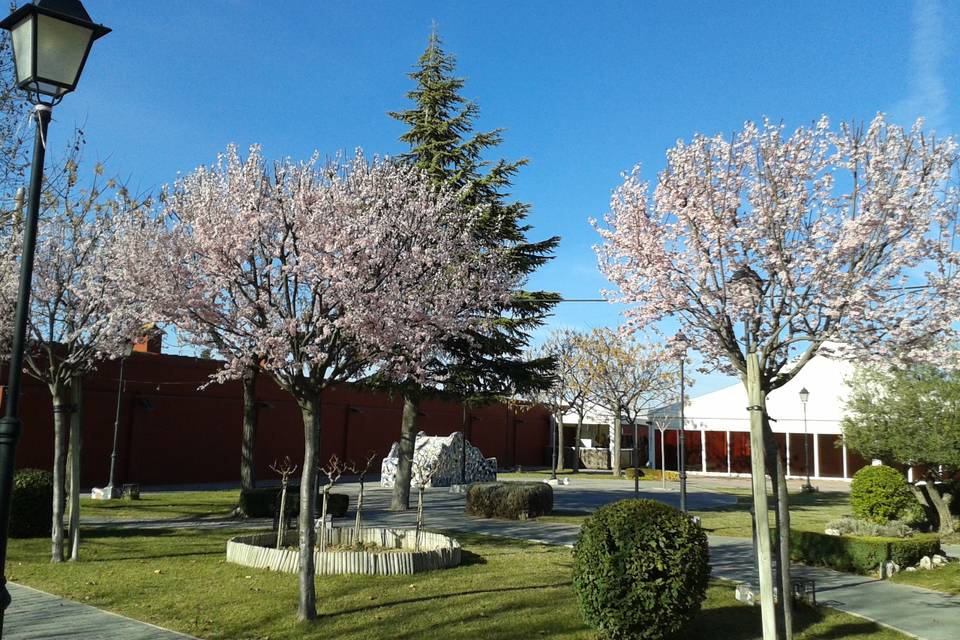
(35, 615)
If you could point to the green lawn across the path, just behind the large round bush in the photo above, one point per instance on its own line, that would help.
(809, 511)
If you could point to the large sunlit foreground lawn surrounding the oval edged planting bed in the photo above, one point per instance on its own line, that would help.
(504, 590)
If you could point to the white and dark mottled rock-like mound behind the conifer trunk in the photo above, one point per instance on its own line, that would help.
(440, 455)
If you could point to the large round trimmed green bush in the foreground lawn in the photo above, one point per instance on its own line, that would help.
(640, 570)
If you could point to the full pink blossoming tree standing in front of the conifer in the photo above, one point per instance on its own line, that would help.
(316, 274)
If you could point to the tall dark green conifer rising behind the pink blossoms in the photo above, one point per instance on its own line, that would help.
(489, 364)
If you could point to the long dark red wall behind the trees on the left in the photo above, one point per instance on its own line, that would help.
(171, 432)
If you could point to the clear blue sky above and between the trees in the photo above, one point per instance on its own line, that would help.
(585, 90)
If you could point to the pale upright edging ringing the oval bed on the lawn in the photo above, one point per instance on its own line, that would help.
(437, 551)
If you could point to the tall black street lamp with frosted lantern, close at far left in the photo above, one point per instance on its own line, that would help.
(51, 40)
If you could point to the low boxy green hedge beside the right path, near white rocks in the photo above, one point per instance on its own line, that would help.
(859, 554)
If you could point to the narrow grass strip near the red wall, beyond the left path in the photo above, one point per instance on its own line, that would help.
(166, 505)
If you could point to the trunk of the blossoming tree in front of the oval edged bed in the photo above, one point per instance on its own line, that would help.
(310, 408)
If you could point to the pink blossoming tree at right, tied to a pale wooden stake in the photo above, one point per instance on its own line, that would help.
(802, 238)
